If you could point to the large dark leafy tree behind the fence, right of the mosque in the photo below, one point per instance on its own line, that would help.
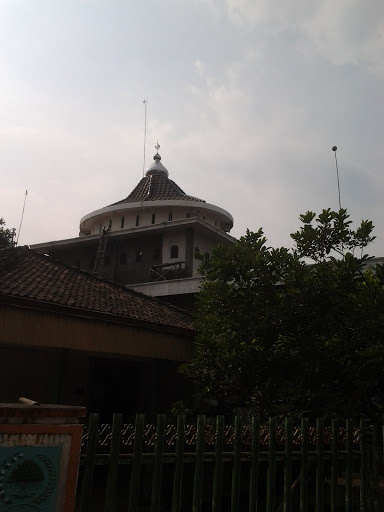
(280, 336)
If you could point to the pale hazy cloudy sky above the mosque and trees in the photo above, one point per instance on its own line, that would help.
(245, 97)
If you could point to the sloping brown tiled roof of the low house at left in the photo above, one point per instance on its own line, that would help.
(26, 274)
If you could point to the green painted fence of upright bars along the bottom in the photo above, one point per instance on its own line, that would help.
(176, 465)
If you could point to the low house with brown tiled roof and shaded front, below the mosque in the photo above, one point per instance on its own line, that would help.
(67, 336)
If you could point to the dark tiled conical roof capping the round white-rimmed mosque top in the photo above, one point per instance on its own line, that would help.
(157, 187)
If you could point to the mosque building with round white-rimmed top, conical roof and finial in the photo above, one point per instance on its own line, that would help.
(152, 241)
